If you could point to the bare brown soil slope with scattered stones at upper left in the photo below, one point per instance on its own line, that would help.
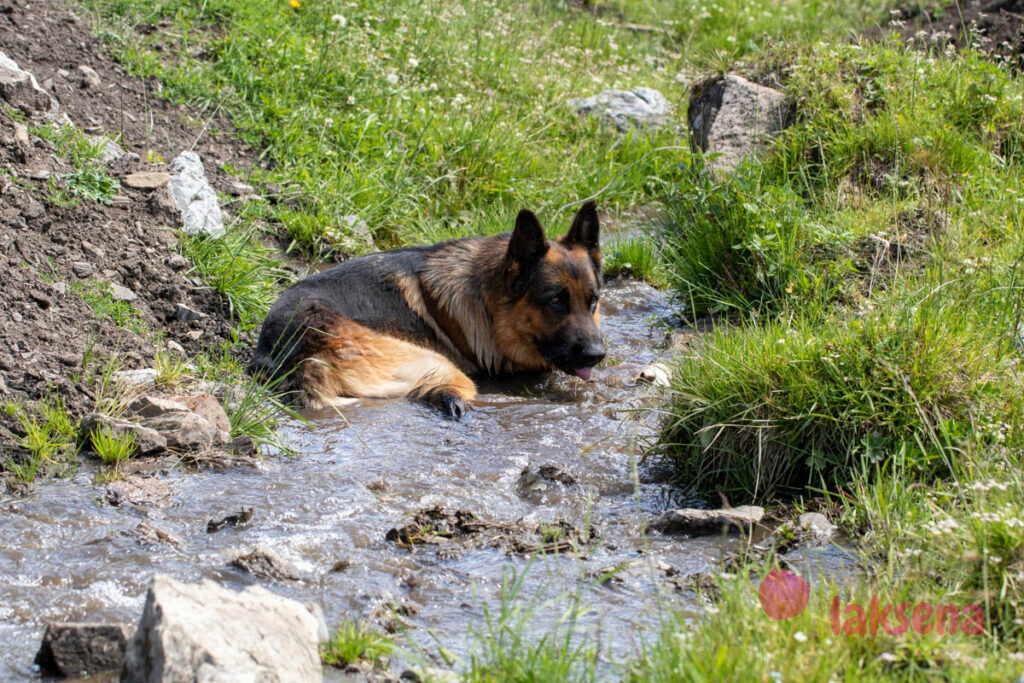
(47, 329)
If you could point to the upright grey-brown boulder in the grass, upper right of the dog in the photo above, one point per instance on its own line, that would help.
(735, 118)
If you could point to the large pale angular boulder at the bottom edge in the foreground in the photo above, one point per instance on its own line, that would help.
(207, 633)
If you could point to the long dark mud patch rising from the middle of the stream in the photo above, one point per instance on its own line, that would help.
(458, 531)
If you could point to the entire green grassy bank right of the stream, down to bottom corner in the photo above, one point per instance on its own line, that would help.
(875, 361)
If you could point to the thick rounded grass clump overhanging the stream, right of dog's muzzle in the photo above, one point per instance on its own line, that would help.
(784, 409)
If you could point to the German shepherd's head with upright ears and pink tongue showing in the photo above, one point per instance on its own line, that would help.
(556, 289)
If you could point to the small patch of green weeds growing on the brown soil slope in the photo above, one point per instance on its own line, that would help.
(89, 179)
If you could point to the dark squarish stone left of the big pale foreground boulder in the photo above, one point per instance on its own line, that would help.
(82, 650)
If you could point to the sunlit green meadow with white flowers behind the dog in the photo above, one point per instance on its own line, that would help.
(432, 119)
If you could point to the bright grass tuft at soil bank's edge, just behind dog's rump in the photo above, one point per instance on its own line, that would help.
(240, 269)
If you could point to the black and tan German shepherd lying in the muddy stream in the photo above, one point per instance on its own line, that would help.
(420, 322)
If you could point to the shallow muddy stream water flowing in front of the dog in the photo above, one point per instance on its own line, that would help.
(66, 556)
